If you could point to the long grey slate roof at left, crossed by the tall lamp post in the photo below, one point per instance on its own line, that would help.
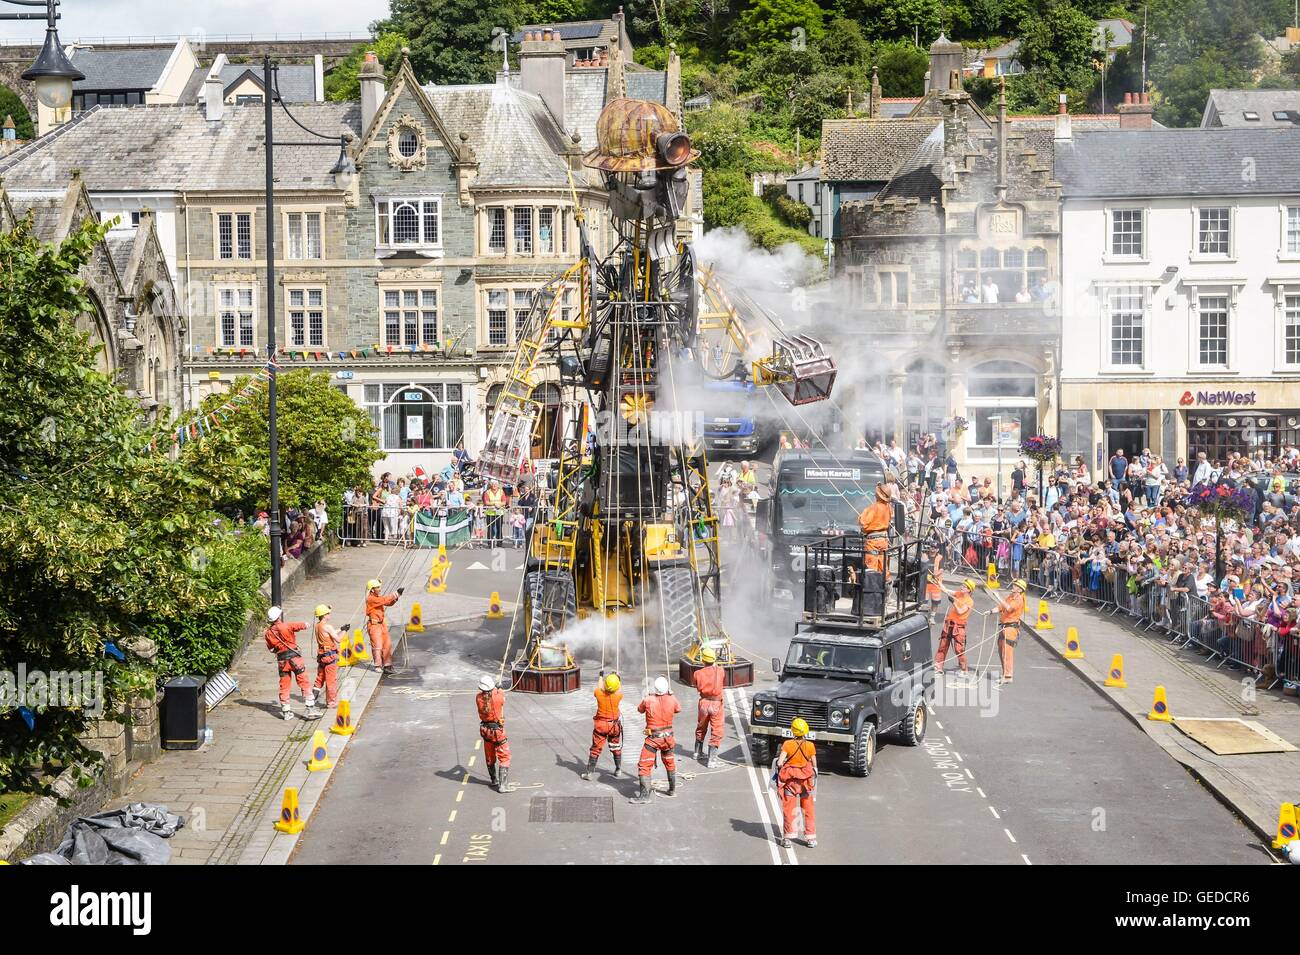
(170, 149)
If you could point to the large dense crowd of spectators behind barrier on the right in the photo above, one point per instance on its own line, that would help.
(1136, 539)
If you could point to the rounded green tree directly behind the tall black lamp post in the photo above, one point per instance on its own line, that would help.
(327, 444)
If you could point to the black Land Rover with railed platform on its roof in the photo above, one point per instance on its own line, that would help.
(861, 663)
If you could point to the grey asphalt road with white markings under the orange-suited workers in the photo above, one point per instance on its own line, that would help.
(1042, 772)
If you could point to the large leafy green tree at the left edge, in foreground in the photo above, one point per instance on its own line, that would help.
(97, 532)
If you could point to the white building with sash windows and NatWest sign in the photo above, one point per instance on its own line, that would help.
(1181, 292)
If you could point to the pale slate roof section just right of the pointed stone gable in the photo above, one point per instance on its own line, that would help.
(512, 132)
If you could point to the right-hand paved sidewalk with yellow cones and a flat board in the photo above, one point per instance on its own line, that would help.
(1254, 785)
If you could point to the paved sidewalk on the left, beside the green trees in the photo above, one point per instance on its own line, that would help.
(231, 789)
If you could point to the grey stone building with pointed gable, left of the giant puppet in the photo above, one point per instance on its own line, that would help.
(405, 283)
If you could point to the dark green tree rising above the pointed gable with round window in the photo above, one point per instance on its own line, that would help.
(452, 41)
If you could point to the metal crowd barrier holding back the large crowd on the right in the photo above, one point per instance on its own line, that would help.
(1155, 607)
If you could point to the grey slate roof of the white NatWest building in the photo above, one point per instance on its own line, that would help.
(1180, 163)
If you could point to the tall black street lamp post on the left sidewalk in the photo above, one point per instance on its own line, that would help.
(344, 171)
